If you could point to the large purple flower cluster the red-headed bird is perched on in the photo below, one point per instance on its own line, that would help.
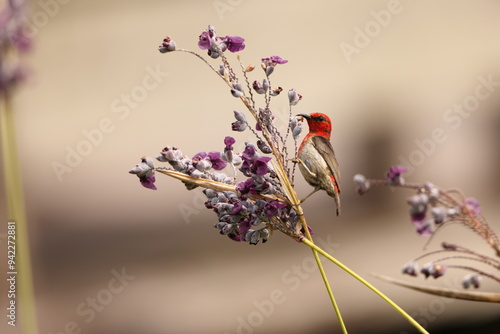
(259, 199)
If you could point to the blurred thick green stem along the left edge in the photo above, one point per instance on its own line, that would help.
(25, 302)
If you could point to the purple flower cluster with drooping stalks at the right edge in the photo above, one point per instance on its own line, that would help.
(429, 209)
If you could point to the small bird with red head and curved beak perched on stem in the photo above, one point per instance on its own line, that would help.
(316, 157)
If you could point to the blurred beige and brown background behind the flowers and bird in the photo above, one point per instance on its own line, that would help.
(100, 96)
